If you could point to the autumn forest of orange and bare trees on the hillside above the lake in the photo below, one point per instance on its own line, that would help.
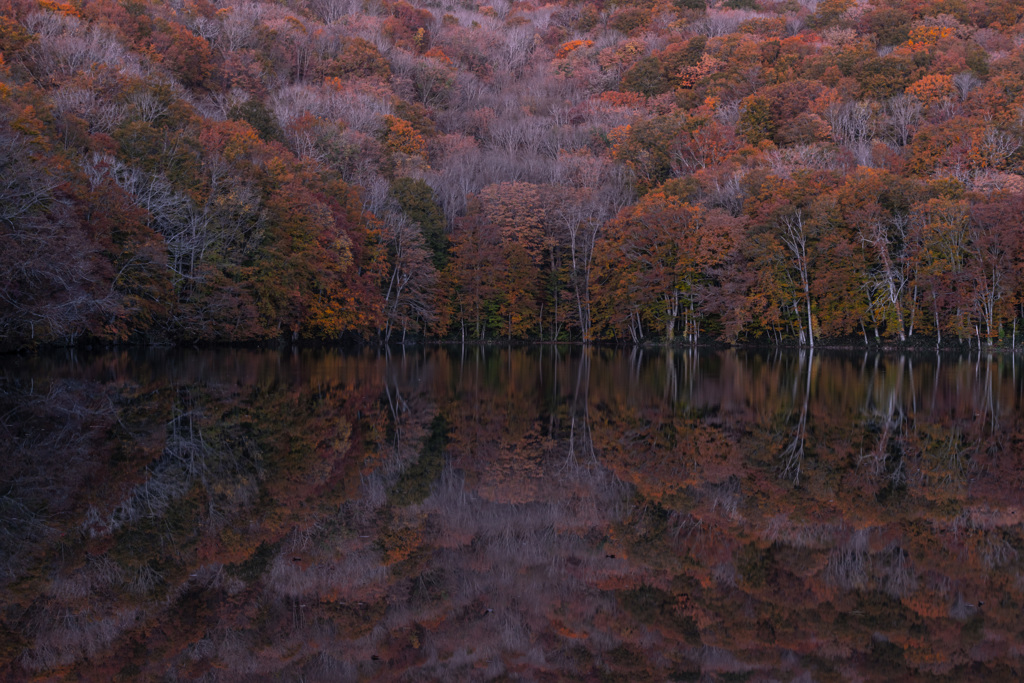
(749, 172)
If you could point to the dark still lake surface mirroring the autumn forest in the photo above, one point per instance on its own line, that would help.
(545, 515)
